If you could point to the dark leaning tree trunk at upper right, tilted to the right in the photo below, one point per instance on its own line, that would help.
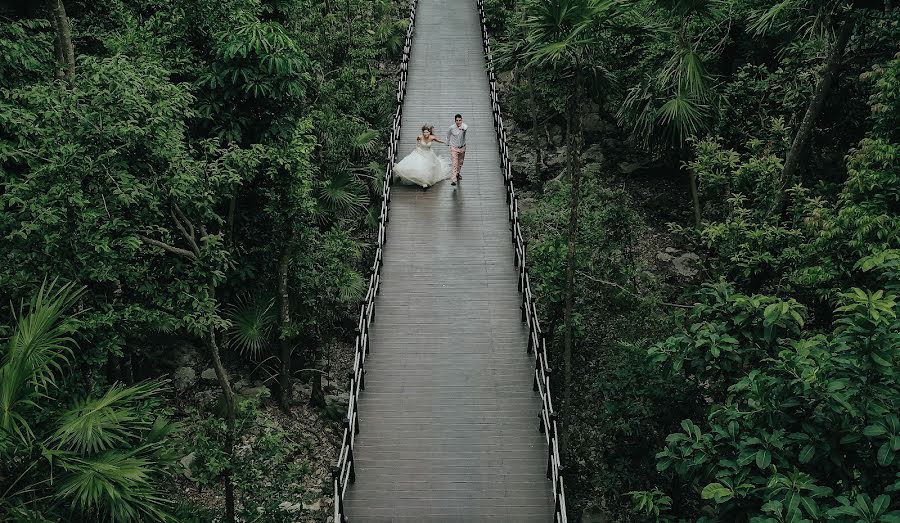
(807, 125)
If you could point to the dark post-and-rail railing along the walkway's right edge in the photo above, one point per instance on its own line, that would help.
(537, 343)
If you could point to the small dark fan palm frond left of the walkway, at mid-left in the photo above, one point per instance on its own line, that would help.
(252, 322)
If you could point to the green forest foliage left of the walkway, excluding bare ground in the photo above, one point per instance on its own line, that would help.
(199, 145)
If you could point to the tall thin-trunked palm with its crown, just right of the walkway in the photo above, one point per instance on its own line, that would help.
(565, 35)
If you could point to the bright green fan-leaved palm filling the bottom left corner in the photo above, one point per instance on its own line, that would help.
(101, 457)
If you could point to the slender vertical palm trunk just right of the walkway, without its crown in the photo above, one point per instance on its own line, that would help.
(574, 124)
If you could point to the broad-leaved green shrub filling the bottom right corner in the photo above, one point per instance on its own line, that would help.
(798, 422)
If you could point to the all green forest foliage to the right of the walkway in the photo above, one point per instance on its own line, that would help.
(769, 352)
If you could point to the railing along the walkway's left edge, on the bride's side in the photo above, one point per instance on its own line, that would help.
(343, 473)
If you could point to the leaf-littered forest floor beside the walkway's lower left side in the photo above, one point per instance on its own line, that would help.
(294, 483)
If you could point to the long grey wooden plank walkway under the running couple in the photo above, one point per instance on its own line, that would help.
(449, 420)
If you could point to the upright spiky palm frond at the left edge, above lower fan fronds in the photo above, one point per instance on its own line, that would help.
(37, 348)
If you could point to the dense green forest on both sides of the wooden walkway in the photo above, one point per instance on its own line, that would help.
(189, 191)
